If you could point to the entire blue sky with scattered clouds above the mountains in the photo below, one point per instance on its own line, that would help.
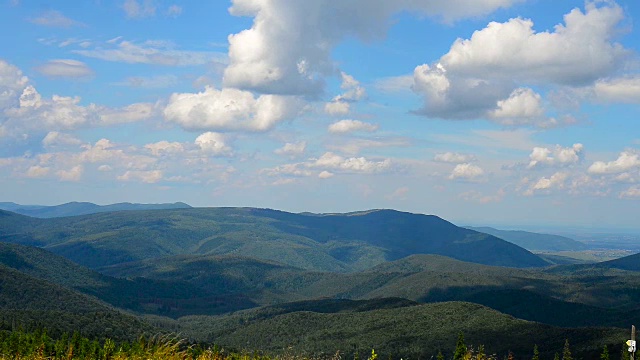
(491, 112)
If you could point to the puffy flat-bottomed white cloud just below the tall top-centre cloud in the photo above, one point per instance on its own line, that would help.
(230, 110)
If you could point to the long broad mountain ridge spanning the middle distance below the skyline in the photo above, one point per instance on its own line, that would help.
(332, 242)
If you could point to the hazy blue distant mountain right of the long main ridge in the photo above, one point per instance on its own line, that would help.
(534, 241)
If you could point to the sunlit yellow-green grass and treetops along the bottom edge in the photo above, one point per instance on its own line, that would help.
(39, 345)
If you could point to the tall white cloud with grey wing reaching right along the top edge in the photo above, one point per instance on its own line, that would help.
(287, 50)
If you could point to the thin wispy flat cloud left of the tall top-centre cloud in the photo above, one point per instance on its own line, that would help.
(150, 52)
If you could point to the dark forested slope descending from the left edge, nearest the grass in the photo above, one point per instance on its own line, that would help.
(30, 303)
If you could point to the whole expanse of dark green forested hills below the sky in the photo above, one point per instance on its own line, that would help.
(256, 279)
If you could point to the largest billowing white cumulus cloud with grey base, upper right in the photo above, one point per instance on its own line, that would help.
(485, 76)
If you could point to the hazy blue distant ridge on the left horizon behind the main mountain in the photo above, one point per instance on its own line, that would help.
(82, 208)
